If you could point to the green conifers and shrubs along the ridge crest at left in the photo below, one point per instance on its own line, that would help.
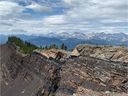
(27, 47)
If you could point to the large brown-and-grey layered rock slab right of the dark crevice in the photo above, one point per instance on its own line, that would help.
(93, 74)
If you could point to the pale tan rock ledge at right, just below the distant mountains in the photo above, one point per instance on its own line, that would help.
(104, 52)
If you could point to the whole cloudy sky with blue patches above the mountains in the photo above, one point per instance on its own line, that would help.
(46, 16)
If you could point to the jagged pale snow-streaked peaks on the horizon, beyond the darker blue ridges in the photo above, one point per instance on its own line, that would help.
(88, 36)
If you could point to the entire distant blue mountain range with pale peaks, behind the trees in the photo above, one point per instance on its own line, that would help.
(72, 39)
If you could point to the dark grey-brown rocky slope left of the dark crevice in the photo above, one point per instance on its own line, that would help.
(26, 75)
